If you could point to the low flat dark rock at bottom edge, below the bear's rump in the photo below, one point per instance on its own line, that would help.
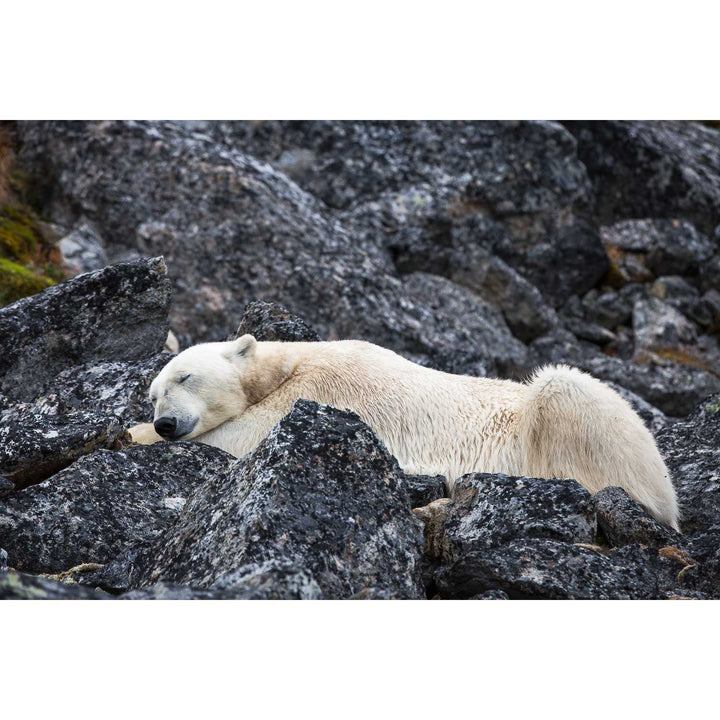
(547, 569)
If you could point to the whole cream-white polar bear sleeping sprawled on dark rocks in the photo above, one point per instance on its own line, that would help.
(562, 423)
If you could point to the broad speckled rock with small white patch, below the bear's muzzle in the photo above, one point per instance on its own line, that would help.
(104, 503)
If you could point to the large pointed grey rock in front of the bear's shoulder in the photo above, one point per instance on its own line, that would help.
(320, 492)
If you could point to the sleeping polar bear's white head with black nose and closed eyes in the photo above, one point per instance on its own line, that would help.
(201, 388)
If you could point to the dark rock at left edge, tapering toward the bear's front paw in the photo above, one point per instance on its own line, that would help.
(35, 445)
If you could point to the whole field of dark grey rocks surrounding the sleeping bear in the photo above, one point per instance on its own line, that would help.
(484, 248)
